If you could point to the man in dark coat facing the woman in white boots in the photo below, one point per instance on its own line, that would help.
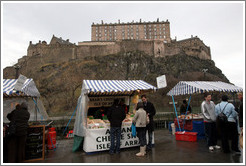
(150, 109)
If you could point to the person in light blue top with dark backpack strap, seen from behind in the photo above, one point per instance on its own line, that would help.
(228, 129)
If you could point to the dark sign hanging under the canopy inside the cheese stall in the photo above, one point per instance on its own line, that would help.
(106, 101)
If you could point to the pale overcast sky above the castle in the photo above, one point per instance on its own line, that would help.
(220, 25)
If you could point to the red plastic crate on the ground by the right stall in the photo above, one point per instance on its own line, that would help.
(186, 136)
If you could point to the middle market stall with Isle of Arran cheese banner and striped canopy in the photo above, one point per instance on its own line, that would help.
(101, 93)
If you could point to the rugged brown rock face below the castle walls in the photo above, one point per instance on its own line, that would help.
(60, 83)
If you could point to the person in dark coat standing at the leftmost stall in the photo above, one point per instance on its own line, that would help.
(17, 142)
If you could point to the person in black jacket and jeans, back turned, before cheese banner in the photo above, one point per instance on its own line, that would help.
(115, 116)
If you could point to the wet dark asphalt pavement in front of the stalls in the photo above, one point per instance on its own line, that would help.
(166, 150)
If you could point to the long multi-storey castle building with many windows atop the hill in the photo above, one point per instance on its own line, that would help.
(156, 30)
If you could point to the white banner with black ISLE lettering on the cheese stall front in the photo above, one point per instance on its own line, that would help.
(99, 139)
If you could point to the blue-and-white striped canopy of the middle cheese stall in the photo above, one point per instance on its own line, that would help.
(115, 87)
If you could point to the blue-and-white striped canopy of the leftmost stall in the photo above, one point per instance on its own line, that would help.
(28, 90)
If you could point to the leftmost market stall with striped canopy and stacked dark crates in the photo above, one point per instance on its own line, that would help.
(27, 92)
